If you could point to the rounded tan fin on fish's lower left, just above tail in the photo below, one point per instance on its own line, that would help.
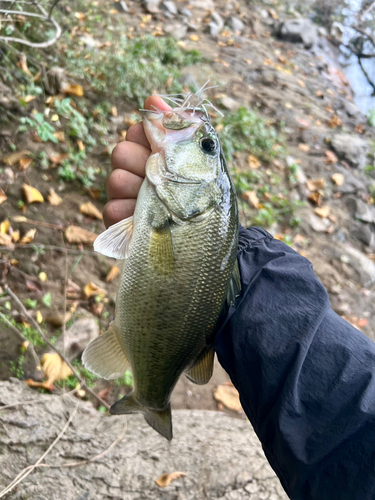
(105, 357)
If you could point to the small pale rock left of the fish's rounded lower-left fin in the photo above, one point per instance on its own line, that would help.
(78, 336)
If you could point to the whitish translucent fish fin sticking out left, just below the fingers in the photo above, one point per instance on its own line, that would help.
(114, 242)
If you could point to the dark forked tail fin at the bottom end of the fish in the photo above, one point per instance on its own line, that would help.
(161, 421)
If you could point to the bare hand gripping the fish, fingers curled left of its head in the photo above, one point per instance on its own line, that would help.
(128, 169)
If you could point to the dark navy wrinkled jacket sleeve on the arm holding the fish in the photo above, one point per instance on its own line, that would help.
(305, 376)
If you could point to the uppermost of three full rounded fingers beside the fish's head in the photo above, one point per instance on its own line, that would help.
(130, 156)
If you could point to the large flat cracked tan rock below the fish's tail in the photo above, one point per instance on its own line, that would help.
(211, 448)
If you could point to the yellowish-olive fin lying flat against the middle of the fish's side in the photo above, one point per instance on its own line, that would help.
(161, 255)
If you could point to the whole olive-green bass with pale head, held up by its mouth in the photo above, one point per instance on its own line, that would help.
(180, 271)
